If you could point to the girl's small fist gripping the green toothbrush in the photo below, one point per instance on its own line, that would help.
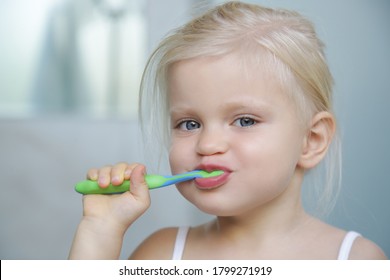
(118, 211)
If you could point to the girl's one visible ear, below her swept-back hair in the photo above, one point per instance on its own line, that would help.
(317, 140)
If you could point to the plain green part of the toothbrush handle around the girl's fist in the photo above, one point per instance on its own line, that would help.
(92, 187)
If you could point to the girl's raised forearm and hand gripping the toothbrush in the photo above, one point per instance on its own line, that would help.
(106, 218)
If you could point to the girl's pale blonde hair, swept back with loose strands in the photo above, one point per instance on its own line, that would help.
(284, 41)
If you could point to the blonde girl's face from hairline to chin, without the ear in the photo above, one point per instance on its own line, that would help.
(237, 119)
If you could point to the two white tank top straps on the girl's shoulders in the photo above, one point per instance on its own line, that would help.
(182, 232)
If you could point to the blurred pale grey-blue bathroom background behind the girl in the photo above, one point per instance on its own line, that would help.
(69, 78)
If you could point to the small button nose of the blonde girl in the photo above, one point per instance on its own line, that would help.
(212, 141)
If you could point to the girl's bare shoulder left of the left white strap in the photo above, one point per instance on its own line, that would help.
(157, 246)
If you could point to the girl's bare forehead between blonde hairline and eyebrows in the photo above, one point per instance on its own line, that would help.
(224, 78)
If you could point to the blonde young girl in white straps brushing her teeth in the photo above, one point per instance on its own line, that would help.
(243, 89)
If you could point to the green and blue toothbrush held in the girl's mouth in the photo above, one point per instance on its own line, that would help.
(153, 181)
